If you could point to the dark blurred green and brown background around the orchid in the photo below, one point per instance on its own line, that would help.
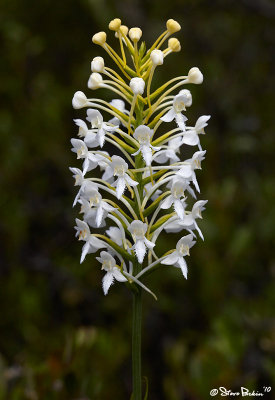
(60, 338)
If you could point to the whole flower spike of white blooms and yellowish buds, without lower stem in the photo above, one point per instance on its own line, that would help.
(143, 189)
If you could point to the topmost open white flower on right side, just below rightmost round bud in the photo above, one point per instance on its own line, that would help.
(180, 102)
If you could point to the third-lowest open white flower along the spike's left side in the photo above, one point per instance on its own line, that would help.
(95, 200)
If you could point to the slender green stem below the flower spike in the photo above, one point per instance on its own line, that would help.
(136, 341)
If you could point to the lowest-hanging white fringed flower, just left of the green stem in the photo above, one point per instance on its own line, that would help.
(112, 272)
